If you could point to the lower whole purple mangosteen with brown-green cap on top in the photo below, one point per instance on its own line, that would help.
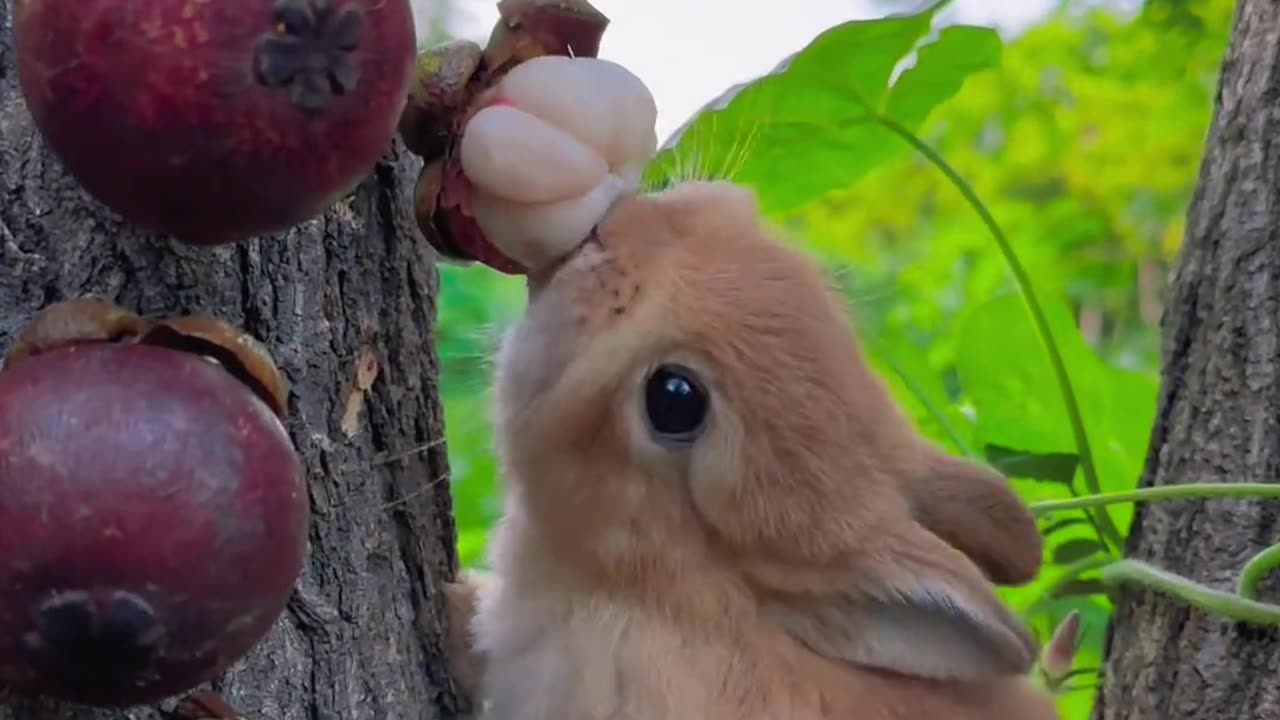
(153, 509)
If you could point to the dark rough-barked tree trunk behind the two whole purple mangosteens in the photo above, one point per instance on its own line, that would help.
(341, 300)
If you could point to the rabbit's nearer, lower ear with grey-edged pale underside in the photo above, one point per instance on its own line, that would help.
(915, 607)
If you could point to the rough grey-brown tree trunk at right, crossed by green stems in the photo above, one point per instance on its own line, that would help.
(1219, 417)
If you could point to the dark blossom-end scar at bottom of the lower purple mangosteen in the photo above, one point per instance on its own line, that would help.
(95, 644)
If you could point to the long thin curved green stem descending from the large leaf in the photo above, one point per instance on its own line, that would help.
(1103, 520)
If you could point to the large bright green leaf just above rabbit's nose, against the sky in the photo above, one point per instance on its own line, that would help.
(812, 126)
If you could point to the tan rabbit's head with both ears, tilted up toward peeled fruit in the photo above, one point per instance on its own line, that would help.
(684, 403)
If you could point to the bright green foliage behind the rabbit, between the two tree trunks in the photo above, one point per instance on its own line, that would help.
(1082, 138)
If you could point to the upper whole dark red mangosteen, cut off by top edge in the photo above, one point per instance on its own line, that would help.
(217, 121)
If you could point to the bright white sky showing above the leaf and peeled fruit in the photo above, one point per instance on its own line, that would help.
(688, 52)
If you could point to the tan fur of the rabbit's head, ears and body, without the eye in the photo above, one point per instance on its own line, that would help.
(811, 557)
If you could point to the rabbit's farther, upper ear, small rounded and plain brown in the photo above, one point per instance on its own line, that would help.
(973, 508)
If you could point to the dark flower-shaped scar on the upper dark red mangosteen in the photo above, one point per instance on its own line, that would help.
(312, 52)
